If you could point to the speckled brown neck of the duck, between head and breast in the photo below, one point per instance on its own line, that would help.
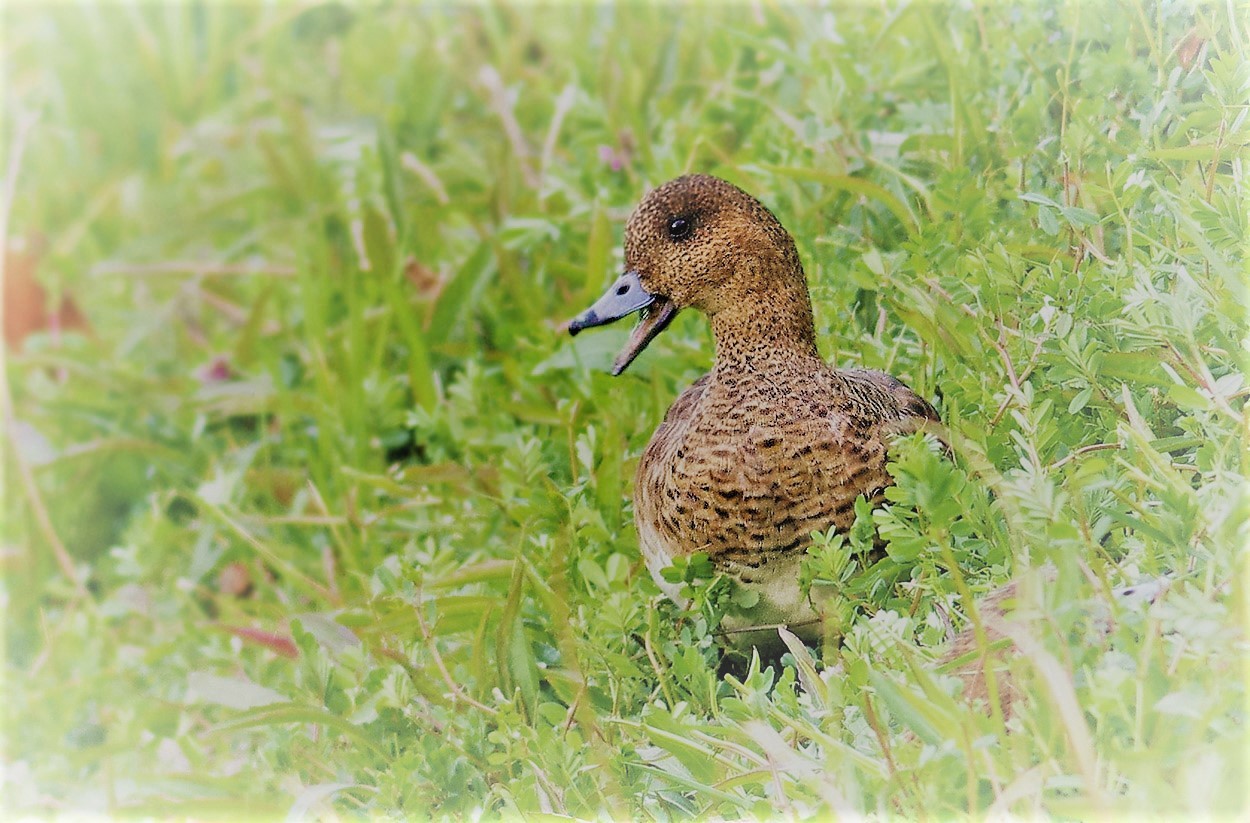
(757, 331)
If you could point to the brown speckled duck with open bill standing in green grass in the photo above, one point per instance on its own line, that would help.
(773, 443)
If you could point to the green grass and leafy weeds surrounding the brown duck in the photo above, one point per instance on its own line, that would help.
(346, 520)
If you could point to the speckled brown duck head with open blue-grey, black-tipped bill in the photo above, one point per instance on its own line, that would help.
(698, 242)
